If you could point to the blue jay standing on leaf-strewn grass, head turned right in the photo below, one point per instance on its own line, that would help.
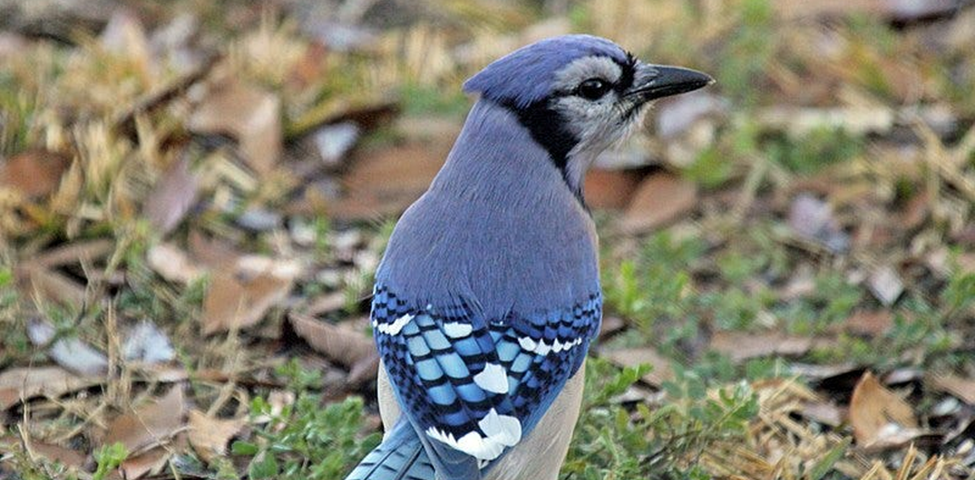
(487, 297)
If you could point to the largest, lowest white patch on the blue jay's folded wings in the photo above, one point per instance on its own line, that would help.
(499, 431)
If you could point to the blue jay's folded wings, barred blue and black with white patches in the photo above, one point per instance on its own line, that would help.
(474, 389)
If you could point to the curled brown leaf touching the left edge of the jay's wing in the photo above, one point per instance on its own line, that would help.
(337, 343)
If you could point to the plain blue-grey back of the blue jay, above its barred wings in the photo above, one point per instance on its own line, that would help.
(498, 226)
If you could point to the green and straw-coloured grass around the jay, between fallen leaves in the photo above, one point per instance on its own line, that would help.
(729, 266)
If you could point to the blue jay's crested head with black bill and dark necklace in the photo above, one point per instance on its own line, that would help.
(578, 94)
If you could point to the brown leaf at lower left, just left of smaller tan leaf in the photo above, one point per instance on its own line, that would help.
(149, 424)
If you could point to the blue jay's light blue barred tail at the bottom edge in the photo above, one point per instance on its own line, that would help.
(399, 457)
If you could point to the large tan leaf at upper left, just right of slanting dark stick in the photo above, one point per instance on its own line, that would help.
(251, 115)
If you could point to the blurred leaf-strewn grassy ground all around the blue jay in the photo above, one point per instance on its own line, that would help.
(194, 196)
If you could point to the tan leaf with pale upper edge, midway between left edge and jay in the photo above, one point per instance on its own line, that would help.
(240, 298)
